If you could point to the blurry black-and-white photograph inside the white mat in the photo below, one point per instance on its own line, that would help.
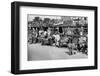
(52, 37)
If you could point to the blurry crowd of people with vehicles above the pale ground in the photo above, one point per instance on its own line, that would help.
(75, 41)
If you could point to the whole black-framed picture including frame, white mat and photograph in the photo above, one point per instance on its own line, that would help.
(53, 37)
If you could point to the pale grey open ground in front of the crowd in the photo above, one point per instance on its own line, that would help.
(39, 52)
